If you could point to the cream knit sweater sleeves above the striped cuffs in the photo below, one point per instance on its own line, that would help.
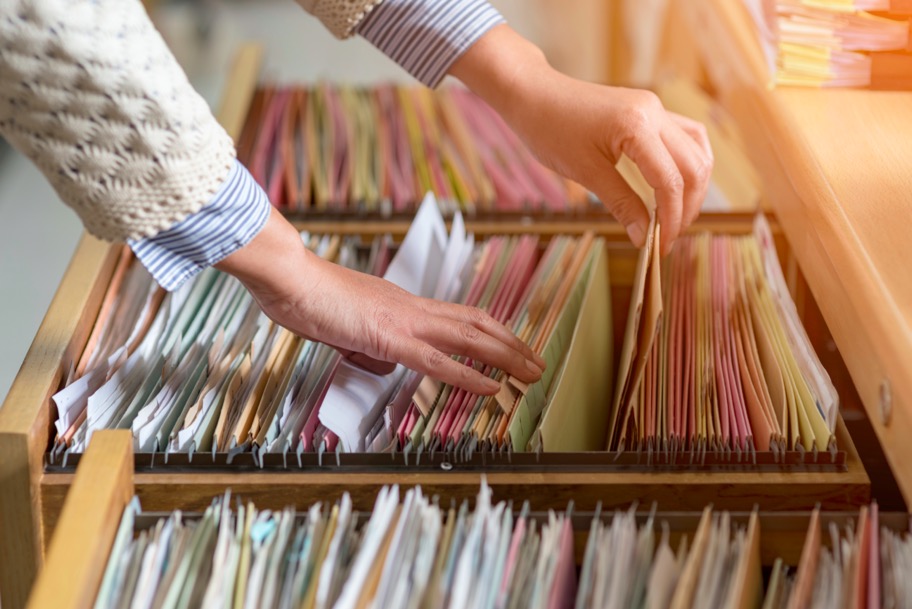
(90, 92)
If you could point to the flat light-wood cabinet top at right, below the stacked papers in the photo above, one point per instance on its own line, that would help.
(862, 142)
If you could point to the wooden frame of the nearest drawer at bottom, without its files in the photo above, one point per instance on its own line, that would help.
(104, 485)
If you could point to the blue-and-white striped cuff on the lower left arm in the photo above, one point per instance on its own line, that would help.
(224, 225)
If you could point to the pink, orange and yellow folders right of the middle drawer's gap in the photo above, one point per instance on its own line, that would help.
(715, 358)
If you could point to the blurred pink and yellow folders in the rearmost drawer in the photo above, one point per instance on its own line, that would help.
(341, 149)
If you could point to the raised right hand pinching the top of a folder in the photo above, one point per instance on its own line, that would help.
(581, 130)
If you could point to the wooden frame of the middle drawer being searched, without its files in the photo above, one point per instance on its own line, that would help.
(33, 496)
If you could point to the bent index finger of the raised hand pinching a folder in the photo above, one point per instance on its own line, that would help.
(656, 164)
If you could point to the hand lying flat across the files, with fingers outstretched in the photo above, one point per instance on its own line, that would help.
(372, 322)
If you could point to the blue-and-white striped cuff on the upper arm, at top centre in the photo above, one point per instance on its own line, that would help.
(426, 36)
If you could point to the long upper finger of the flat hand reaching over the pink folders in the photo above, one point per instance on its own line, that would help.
(460, 338)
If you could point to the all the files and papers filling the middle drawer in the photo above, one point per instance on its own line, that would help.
(714, 358)
